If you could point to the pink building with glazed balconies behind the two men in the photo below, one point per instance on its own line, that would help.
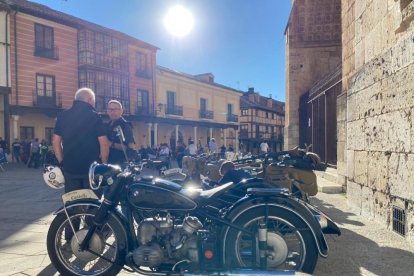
(51, 54)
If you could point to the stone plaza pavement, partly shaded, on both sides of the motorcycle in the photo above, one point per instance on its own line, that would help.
(365, 247)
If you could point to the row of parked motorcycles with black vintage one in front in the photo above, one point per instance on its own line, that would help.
(184, 223)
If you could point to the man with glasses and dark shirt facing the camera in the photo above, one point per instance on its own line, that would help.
(116, 154)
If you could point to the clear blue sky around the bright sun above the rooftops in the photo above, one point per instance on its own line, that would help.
(241, 42)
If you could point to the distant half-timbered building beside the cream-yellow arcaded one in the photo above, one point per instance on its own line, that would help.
(261, 119)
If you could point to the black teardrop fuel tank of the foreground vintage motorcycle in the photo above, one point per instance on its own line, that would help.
(160, 194)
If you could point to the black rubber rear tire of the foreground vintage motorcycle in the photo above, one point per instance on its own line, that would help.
(311, 257)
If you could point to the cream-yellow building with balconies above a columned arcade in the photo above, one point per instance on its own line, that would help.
(194, 108)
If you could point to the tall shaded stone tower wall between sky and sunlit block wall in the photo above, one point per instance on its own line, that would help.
(313, 51)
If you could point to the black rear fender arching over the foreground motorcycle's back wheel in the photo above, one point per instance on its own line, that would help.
(280, 200)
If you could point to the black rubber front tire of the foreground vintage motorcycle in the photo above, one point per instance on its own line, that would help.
(60, 219)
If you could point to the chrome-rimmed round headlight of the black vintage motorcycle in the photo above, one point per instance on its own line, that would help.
(102, 174)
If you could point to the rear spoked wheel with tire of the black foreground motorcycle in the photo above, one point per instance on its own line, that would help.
(290, 244)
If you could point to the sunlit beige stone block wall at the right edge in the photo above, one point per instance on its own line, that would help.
(378, 70)
